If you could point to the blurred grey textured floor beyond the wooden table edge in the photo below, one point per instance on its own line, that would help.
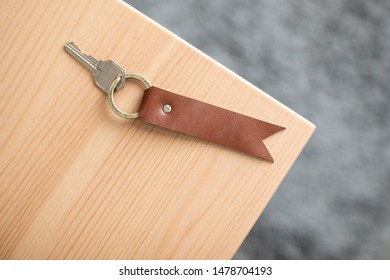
(330, 62)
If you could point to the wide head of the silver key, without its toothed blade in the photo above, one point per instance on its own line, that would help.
(106, 73)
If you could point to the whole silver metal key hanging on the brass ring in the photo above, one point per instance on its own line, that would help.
(103, 71)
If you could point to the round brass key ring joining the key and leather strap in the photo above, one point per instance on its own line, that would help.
(111, 91)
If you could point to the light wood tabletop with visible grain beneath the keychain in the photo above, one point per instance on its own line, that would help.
(78, 182)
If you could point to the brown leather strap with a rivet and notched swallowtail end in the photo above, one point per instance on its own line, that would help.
(206, 121)
